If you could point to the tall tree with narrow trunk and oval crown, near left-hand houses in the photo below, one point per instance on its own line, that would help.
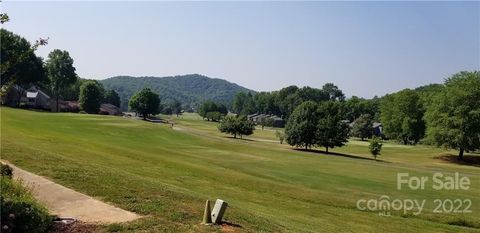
(60, 71)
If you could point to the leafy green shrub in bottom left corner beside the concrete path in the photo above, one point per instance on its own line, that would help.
(20, 211)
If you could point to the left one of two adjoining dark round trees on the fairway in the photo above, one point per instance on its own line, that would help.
(301, 126)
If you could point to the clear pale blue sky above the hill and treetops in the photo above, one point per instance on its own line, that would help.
(366, 48)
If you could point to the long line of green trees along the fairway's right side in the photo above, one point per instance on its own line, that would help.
(446, 115)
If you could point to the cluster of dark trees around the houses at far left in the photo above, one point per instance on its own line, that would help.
(56, 76)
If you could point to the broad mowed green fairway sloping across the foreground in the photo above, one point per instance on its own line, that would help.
(167, 174)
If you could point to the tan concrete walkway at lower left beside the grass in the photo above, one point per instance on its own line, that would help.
(66, 202)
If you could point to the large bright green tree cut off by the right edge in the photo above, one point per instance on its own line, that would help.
(453, 117)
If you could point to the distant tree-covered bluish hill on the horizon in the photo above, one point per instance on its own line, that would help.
(190, 89)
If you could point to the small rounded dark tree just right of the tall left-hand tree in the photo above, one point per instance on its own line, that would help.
(91, 96)
